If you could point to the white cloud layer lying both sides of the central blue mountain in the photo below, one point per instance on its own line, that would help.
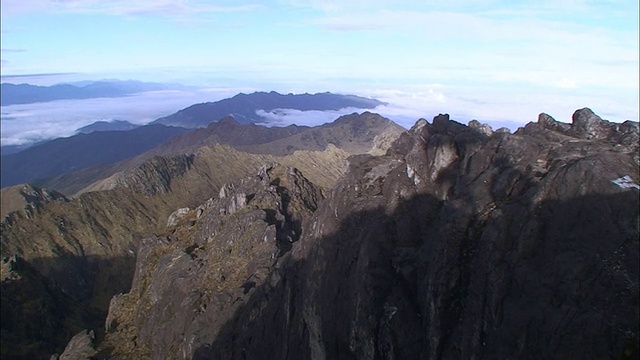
(29, 123)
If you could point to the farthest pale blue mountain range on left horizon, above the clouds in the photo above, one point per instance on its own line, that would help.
(12, 94)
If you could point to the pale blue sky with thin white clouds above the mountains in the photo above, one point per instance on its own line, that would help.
(501, 62)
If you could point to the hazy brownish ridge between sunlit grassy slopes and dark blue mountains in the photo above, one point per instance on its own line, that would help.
(351, 134)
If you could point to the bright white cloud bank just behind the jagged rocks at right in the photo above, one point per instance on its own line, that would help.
(495, 106)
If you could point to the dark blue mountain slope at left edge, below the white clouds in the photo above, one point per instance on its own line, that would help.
(81, 151)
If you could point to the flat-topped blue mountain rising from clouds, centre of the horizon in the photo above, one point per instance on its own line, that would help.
(243, 107)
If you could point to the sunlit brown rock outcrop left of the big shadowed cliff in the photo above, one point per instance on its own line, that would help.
(207, 266)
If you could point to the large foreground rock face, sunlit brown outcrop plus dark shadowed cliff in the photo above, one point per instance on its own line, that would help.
(455, 244)
